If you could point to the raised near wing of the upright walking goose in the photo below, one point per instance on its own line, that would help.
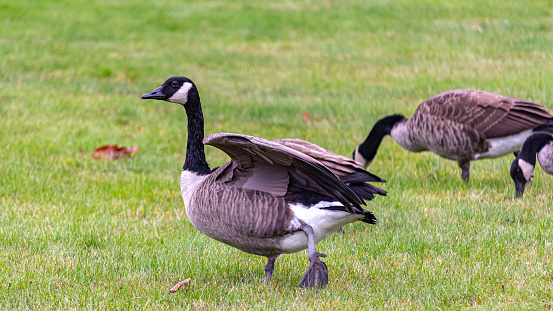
(252, 157)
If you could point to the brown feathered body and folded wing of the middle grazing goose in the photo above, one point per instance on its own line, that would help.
(457, 124)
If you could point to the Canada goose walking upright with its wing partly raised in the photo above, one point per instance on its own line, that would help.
(270, 192)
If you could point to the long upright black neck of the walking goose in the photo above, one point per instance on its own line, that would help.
(195, 155)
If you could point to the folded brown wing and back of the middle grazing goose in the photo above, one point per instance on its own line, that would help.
(490, 114)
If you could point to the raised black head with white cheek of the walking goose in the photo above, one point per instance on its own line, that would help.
(175, 90)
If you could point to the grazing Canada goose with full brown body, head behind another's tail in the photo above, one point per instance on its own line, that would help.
(460, 125)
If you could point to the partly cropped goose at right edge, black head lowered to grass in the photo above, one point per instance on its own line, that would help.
(523, 165)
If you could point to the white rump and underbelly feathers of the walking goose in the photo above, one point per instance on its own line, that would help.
(323, 221)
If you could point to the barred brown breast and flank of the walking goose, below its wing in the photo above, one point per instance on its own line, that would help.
(250, 220)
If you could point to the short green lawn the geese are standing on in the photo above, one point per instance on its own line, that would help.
(78, 233)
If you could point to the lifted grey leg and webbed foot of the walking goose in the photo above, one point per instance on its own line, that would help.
(317, 272)
